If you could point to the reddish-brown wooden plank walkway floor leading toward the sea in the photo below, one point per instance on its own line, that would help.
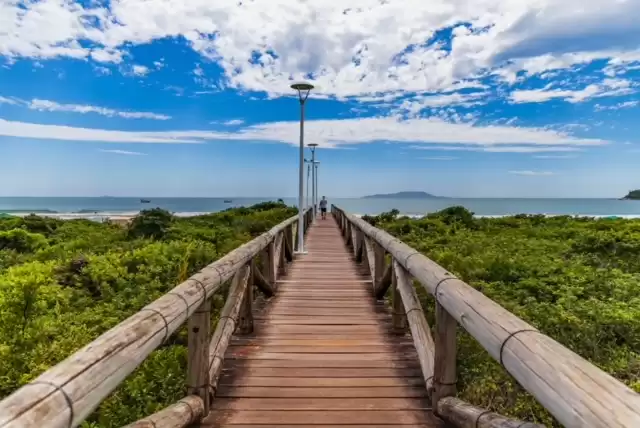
(323, 353)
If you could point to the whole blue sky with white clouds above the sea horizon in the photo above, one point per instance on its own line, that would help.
(467, 98)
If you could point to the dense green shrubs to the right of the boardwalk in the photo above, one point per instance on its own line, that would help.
(575, 279)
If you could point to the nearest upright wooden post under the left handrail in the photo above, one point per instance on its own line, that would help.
(199, 327)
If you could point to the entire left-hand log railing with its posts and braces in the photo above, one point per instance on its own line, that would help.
(63, 396)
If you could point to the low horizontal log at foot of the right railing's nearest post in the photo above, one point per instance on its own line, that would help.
(464, 415)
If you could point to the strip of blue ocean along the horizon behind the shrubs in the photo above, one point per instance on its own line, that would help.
(98, 208)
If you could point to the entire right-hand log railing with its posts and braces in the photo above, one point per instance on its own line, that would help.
(574, 391)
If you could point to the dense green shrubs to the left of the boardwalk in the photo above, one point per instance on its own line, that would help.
(63, 283)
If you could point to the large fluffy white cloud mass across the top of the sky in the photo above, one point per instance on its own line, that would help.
(359, 48)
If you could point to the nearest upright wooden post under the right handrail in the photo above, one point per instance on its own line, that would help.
(444, 371)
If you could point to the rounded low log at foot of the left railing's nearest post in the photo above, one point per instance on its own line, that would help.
(182, 414)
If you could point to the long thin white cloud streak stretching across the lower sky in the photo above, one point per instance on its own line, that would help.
(331, 134)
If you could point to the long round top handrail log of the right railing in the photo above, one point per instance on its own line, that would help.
(575, 391)
